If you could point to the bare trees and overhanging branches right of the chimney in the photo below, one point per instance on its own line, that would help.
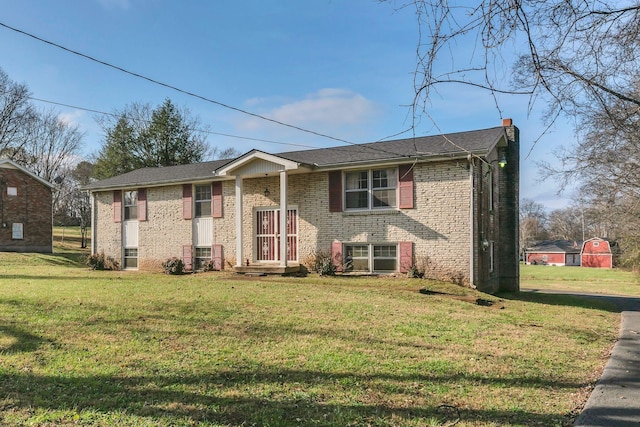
(578, 57)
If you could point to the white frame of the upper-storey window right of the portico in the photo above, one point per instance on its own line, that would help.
(370, 190)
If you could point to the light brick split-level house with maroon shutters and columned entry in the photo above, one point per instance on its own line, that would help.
(447, 204)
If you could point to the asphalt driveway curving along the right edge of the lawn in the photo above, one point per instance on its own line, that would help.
(615, 400)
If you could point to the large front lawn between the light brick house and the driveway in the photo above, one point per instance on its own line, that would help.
(81, 347)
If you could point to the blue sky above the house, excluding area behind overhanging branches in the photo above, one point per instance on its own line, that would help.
(338, 67)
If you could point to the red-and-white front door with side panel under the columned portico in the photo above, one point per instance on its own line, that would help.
(267, 222)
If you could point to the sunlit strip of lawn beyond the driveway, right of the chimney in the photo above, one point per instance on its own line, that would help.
(598, 280)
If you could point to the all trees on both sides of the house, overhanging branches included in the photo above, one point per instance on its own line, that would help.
(580, 57)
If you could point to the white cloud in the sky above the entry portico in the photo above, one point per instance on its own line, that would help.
(326, 108)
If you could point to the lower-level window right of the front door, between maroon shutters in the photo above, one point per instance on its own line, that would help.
(371, 258)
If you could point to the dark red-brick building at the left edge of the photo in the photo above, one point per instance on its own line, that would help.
(26, 221)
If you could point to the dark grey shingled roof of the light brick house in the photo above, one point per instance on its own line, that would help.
(478, 142)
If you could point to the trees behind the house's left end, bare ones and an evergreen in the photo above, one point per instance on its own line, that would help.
(134, 137)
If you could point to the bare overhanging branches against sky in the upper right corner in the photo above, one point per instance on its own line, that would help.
(573, 53)
